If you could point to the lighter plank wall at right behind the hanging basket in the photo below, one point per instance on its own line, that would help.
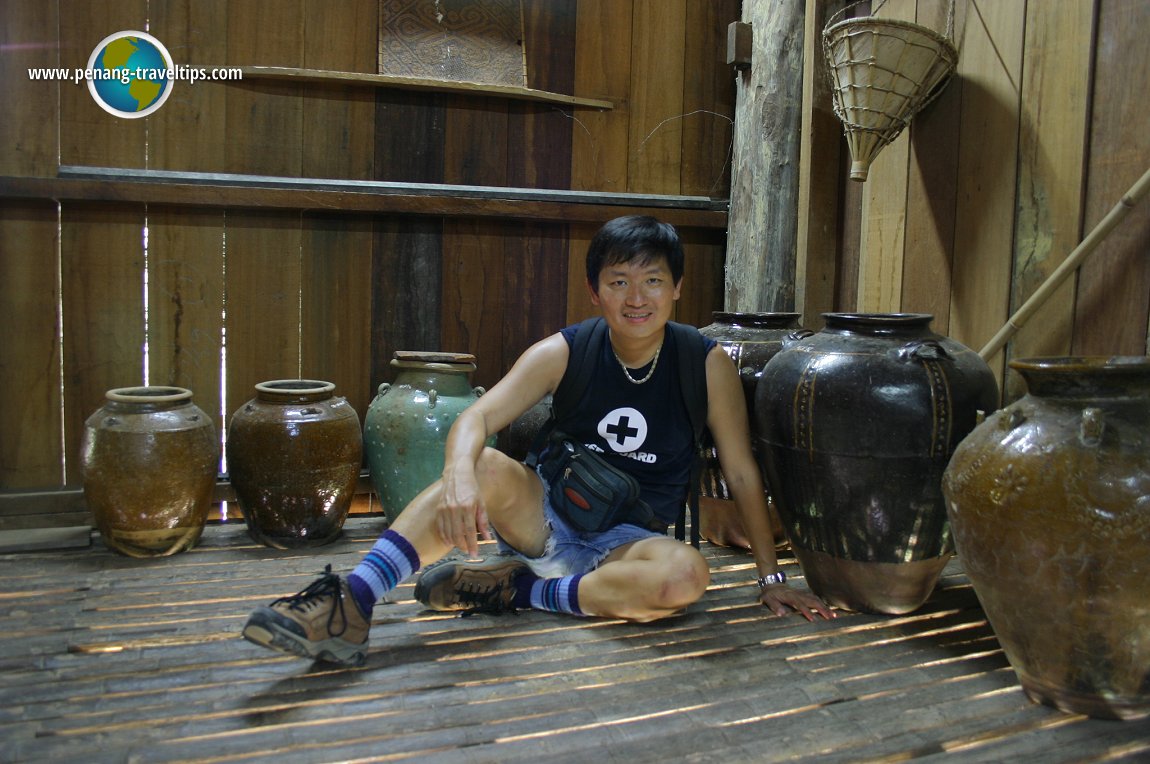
(965, 215)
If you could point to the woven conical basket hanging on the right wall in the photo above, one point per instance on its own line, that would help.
(883, 72)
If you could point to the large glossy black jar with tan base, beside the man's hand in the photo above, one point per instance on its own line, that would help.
(856, 426)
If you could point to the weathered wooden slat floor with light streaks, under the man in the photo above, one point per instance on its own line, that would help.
(105, 659)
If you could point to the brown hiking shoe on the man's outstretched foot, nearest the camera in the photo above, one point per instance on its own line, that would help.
(321, 623)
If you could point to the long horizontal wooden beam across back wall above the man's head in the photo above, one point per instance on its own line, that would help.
(232, 190)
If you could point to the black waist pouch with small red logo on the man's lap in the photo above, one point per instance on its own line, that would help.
(587, 492)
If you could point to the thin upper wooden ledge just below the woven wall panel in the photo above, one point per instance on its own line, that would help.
(326, 77)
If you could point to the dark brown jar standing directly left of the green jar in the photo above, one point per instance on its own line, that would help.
(294, 456)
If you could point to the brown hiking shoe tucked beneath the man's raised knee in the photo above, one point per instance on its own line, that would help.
(484, 587)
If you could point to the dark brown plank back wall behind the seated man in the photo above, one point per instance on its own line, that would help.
(236, 296)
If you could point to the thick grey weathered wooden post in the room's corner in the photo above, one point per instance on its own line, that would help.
(764, 200)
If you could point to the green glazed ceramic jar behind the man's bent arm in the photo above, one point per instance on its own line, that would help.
(407, 426)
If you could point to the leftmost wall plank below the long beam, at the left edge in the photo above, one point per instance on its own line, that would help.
(32, 452)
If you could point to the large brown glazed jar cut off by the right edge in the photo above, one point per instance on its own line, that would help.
(1049, 501)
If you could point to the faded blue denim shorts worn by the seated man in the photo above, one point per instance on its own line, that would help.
(571, 552)
